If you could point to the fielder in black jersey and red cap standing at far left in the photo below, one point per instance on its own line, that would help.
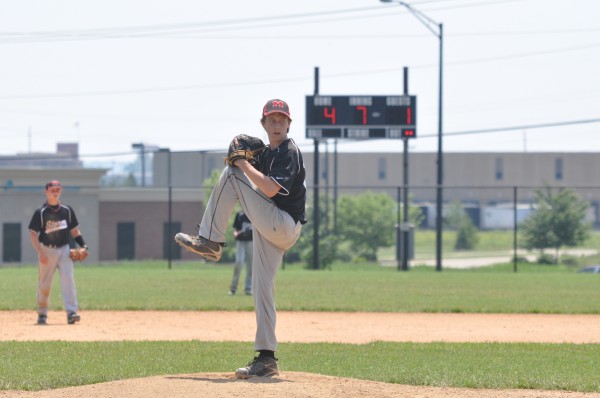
(49, 232)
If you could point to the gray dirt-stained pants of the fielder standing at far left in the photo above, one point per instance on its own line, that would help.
(57, 258)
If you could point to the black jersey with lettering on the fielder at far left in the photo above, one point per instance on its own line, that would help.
(54, 224)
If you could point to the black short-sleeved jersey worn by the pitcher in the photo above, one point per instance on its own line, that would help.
(285, 166)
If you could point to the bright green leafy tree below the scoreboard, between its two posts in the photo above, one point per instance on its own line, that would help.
(368, 221)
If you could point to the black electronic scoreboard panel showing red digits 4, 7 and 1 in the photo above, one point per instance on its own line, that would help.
(361, 116)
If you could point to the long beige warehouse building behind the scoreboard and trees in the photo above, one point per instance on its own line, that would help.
(477, 180)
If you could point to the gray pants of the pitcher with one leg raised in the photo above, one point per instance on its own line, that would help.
(274, 232)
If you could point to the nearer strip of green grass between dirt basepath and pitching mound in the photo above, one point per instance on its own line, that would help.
(494, 365)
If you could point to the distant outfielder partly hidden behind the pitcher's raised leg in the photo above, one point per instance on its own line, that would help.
(242, 232)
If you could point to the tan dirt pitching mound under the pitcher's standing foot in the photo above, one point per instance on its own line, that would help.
(288, 384)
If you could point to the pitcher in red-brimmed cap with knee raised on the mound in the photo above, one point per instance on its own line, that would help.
(272, 193)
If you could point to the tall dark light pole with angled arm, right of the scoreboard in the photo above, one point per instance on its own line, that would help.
(439, 33)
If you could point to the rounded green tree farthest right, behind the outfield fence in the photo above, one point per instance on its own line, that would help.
(558, 220)
